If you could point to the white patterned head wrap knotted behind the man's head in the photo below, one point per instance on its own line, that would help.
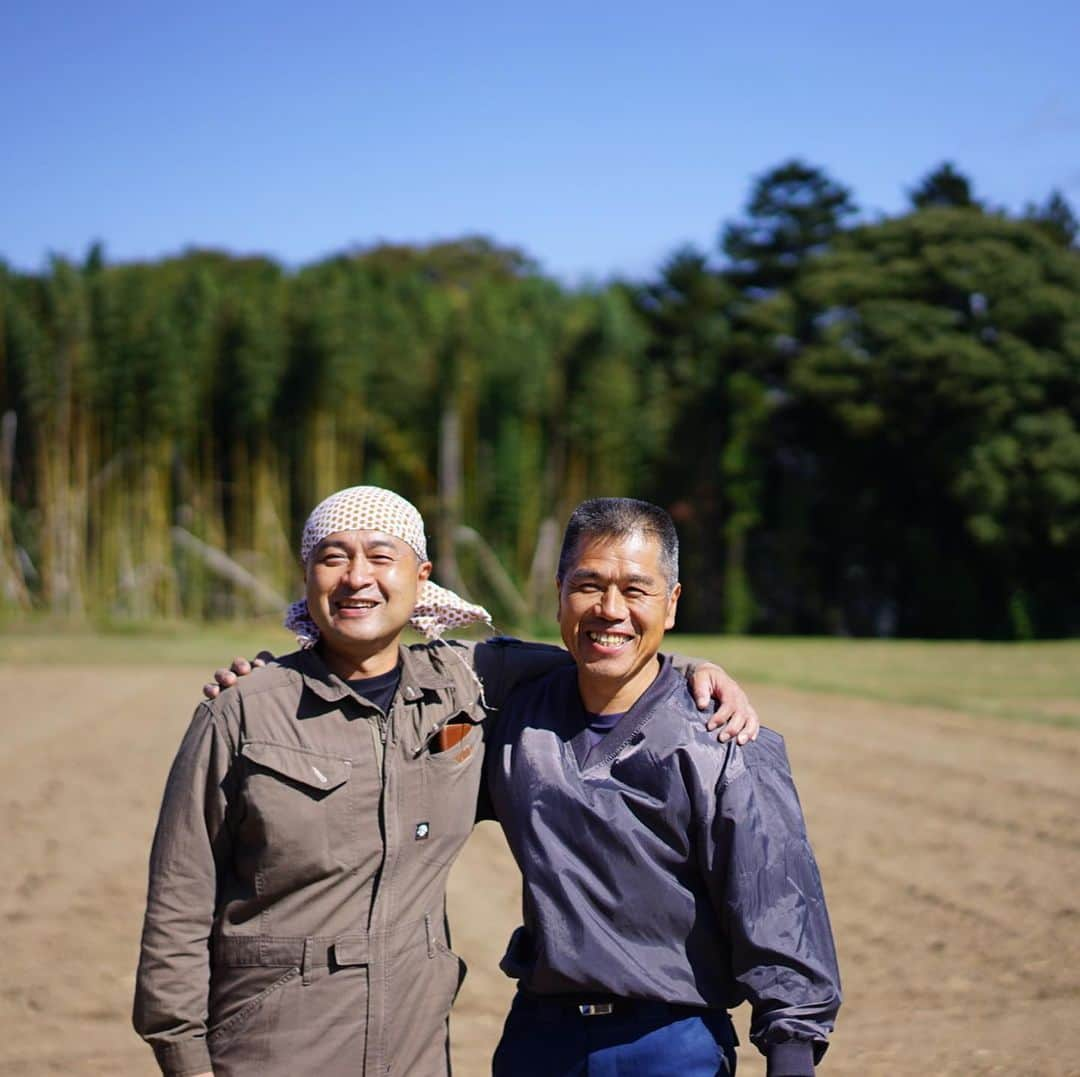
(374, 509)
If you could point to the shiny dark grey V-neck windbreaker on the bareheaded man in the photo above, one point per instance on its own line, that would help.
(667, 867)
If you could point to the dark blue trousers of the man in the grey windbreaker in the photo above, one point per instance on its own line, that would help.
(550, 1039)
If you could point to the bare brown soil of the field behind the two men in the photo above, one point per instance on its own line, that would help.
(950, 847)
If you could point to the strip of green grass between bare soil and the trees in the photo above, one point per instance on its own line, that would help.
(1038, 682)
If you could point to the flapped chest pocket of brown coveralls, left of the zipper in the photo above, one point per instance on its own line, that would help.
(298, 822)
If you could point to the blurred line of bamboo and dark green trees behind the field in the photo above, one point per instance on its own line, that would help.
(868, 427)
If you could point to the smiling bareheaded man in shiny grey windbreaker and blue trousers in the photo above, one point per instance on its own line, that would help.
(665, 881)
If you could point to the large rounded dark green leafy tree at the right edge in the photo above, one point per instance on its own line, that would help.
(940, 399)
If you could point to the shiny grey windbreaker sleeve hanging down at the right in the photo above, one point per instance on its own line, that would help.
(767, 892)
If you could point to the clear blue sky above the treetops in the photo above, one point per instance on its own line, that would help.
(597, 136)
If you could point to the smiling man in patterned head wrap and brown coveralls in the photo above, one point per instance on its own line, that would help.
(296, 909)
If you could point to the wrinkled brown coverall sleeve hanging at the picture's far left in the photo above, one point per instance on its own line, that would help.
(191, 847)
